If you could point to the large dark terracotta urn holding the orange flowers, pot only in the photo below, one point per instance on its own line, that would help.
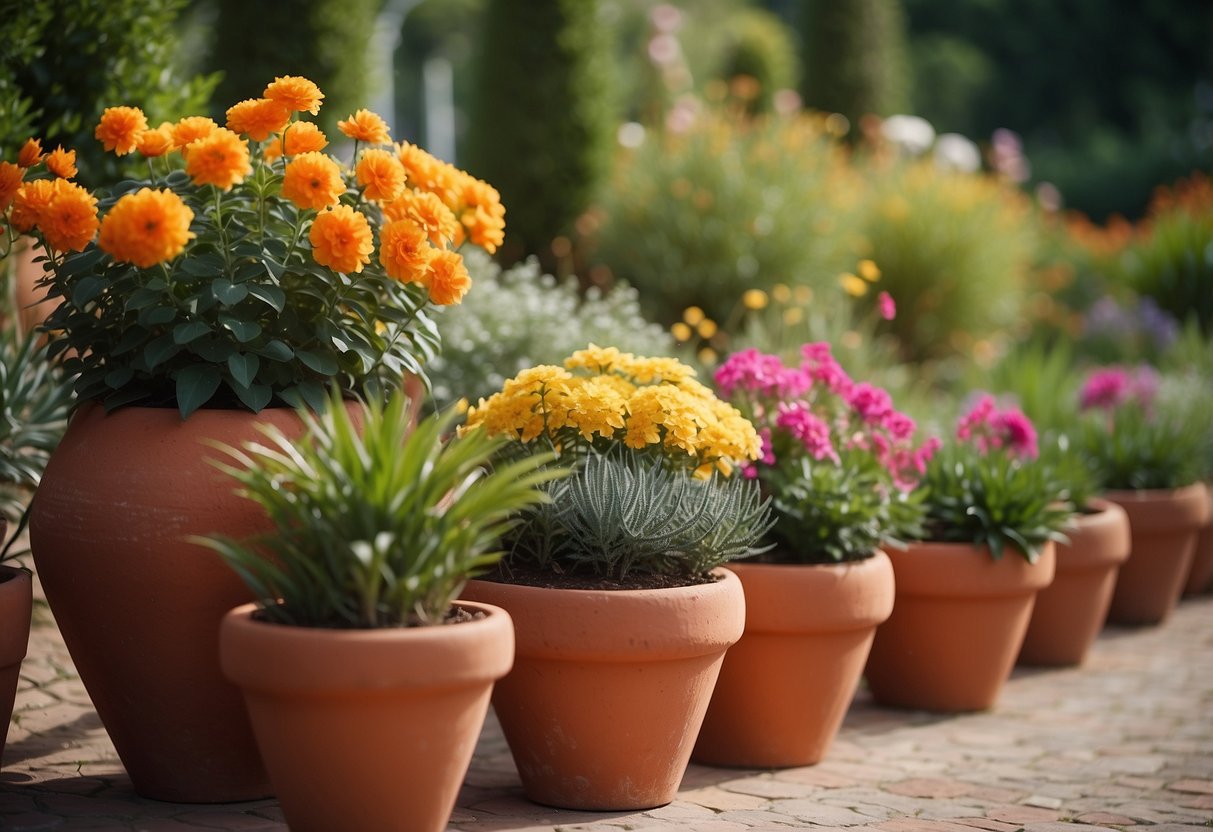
(139, 606)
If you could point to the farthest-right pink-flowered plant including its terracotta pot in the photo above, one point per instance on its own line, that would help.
(1147, 451)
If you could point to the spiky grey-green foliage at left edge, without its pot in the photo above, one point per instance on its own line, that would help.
(36, 398)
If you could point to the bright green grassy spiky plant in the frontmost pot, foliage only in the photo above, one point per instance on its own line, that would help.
(375, 523)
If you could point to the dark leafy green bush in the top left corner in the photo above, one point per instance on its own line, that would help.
(66, 61)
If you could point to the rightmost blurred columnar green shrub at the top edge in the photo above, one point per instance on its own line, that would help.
(855, 58)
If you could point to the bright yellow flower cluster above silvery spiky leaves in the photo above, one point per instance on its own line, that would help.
(603, 396)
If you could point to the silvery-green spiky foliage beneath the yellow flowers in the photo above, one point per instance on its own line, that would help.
(620, 515)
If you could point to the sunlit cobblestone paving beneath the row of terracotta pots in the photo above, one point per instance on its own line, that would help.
(1125, 742)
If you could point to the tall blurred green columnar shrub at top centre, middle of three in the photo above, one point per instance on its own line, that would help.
(543, 118)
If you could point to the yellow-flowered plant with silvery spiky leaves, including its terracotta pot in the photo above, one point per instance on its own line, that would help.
(622, 612)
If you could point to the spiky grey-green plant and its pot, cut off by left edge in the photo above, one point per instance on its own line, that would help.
(35, 401)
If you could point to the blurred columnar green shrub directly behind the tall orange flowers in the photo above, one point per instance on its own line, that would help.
(328, 42)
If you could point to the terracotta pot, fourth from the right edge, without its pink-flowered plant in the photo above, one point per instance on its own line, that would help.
(958, 624)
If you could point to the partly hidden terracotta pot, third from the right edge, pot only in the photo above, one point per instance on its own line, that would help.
(1070, 612)
